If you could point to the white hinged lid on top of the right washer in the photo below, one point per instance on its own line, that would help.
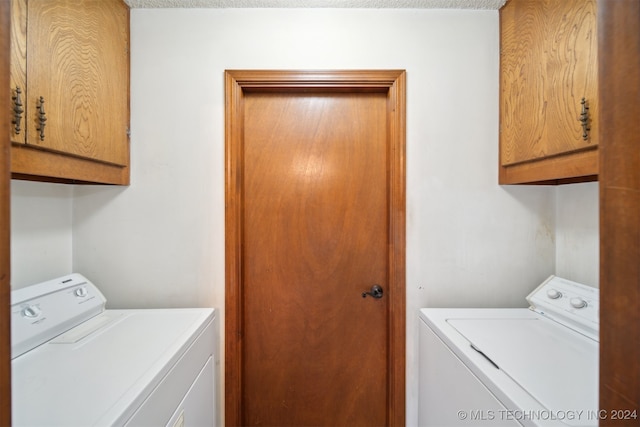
(557, 366)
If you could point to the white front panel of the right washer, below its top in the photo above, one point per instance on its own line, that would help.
(449, 393)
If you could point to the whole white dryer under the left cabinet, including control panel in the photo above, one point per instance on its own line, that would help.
(76, 364)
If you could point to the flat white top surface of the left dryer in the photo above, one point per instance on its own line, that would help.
(101, 371)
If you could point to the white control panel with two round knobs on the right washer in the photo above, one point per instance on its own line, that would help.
(573, 304)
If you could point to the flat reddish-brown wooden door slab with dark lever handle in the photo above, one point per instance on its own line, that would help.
(314, 237)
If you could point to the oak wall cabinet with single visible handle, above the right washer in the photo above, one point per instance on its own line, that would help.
(548, 64)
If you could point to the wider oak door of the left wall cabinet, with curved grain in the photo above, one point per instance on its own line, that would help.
(77, 61)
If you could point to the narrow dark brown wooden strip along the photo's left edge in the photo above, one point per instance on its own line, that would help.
(5, 229)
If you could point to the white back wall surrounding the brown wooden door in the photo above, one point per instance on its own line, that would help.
(160, 241)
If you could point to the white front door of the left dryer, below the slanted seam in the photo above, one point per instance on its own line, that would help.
(195, 410)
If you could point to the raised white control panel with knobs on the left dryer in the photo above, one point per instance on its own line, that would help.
(46, 310)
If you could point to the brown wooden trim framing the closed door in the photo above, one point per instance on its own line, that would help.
(393, 83)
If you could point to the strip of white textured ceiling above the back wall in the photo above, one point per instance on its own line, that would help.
(358, 4)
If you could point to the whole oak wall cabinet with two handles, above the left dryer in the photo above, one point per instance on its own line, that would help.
(74, 55)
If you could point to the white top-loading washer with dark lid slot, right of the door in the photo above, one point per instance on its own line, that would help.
(513, 367)
